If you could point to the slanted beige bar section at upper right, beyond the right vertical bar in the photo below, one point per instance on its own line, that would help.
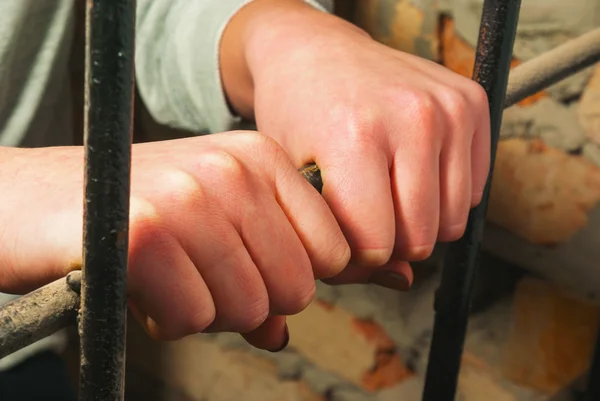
(553, 66)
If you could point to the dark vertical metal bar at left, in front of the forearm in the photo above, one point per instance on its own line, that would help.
(109, 62)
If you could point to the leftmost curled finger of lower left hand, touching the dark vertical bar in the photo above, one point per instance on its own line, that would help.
(169, 296)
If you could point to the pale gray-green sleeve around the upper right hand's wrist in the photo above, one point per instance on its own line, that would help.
(177, 61)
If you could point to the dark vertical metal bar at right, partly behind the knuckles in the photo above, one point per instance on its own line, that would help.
(492, 65)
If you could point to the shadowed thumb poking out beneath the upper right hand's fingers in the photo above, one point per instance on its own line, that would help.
(395, 274)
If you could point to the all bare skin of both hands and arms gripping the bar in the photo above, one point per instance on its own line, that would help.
(233, 238)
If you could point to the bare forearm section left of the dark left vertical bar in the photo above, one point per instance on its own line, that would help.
(36, 219)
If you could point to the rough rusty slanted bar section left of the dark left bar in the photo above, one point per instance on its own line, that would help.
(42, 312)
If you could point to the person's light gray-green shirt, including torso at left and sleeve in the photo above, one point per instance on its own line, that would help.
(177, 73)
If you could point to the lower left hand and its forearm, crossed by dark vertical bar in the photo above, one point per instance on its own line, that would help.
(225, 234)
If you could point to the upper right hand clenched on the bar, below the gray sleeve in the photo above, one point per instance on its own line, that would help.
(402, 143)
